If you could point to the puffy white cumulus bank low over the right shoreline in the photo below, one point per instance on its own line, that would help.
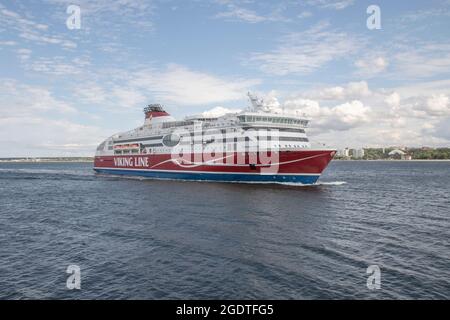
(353, 115)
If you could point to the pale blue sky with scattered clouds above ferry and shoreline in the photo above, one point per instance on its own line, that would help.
(64, 89)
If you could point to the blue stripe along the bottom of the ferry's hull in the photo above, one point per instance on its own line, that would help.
(204, 176)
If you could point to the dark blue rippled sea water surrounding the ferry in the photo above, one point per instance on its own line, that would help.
(151, 239)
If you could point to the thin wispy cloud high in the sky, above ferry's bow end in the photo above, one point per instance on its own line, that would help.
(305, 52)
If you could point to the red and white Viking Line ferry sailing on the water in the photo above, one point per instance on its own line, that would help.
(255, 145)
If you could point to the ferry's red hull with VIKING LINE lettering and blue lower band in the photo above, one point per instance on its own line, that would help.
(299, 166)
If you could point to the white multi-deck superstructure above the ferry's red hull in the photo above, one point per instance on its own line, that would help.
(250, 130)
